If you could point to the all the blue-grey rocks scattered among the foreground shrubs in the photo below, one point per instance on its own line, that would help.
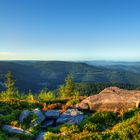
(46, 119)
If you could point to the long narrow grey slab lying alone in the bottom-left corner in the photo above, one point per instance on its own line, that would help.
(15, 130)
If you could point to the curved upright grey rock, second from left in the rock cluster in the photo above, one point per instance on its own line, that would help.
(41, 117)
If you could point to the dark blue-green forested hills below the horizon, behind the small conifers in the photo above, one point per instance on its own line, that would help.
(36, 75)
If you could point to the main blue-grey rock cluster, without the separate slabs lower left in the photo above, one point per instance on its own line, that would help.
(52, 118)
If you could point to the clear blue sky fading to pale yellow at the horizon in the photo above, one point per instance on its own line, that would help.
(70, 30)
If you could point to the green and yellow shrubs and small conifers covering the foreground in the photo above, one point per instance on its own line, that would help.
(98, 126)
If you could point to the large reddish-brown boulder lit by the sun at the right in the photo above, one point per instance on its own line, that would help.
(111, 99)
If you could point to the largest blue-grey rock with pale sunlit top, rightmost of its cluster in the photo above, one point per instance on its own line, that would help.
(71, 116)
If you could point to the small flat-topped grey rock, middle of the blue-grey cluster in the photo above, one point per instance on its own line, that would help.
(53, 114)
